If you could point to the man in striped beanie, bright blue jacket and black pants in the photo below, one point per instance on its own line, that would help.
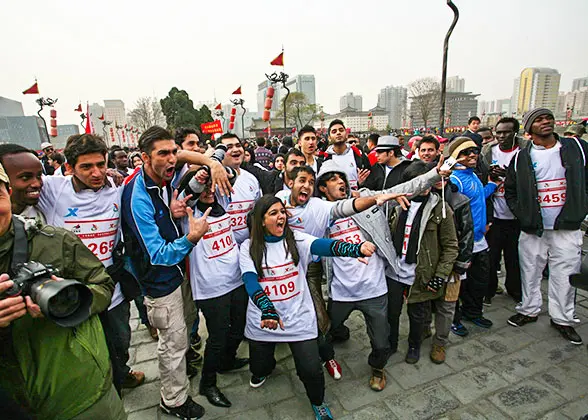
(473, 289)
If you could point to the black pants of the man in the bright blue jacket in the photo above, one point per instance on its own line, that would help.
(474, 287)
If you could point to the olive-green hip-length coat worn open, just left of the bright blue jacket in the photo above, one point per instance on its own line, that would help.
(437, 250)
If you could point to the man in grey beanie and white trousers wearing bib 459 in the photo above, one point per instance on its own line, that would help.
(546, 189)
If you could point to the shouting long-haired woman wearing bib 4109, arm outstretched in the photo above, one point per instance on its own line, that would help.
(273, 264)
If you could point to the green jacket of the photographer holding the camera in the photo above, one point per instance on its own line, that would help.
(56, 372)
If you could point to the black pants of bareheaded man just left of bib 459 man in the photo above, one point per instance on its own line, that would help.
(503, 239)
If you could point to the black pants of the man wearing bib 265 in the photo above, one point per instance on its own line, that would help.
(118, 339)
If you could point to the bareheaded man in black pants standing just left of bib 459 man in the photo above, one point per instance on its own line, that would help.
(503, 235)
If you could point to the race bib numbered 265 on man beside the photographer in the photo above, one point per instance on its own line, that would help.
(98, 236)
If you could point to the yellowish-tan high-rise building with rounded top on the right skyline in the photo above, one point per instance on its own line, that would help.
(538, 87)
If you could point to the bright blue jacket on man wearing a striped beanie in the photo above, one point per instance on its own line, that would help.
(469, 184)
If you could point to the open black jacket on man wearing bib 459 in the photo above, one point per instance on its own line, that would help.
(520, 188)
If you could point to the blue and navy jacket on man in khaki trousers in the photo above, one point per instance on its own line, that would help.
(152, 240)
